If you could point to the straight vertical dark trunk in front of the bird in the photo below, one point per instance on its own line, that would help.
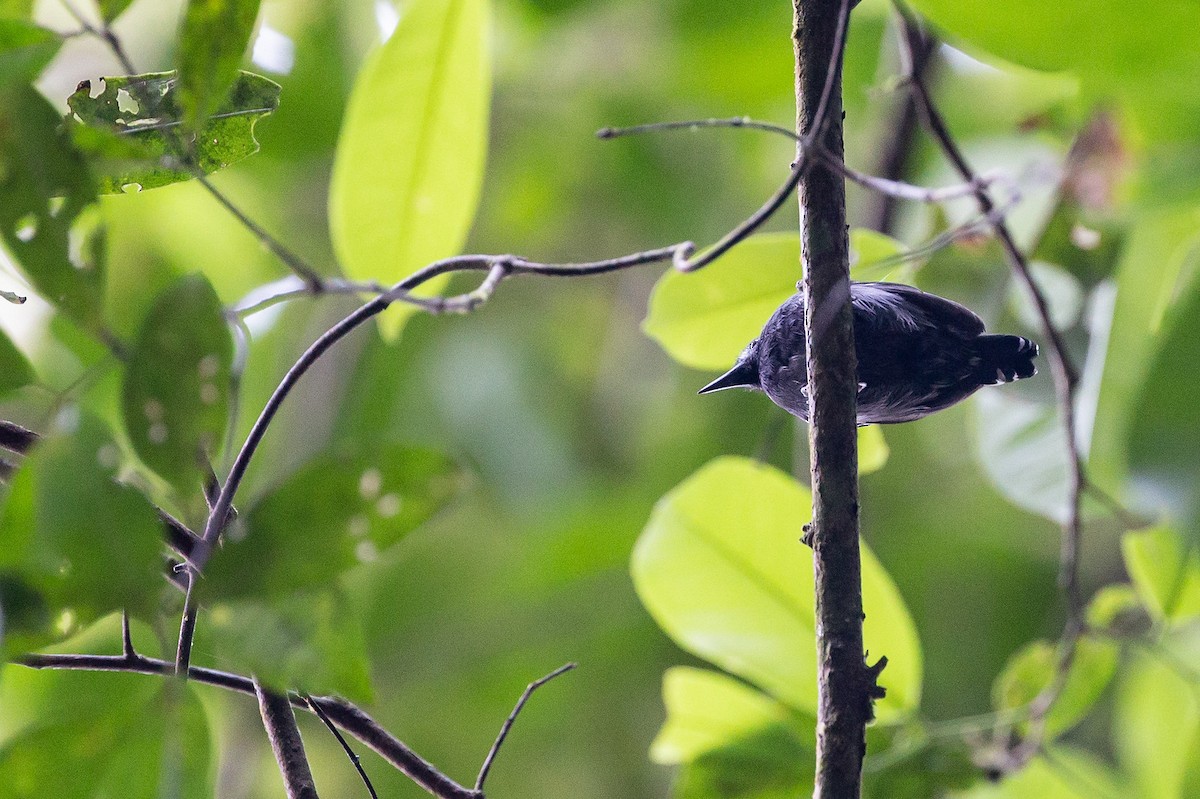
(845, 684)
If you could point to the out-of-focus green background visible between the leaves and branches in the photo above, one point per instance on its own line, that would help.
(568, 420)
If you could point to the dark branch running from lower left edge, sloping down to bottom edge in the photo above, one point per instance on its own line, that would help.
(341, 713)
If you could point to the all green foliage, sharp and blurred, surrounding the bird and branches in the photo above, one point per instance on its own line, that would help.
(526, 446)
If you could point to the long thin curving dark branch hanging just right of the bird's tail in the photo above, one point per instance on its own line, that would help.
(1065, 379)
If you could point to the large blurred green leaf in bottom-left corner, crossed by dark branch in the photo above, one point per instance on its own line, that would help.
(69, 734)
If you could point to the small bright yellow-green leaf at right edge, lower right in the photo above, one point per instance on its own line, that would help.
(1166, 573)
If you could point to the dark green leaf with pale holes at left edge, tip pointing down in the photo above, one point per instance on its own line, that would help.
(45, 193)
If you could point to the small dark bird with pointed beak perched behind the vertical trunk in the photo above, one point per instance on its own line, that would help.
(917, 355)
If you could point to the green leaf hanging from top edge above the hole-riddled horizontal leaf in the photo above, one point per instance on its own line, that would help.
(212, 41)
